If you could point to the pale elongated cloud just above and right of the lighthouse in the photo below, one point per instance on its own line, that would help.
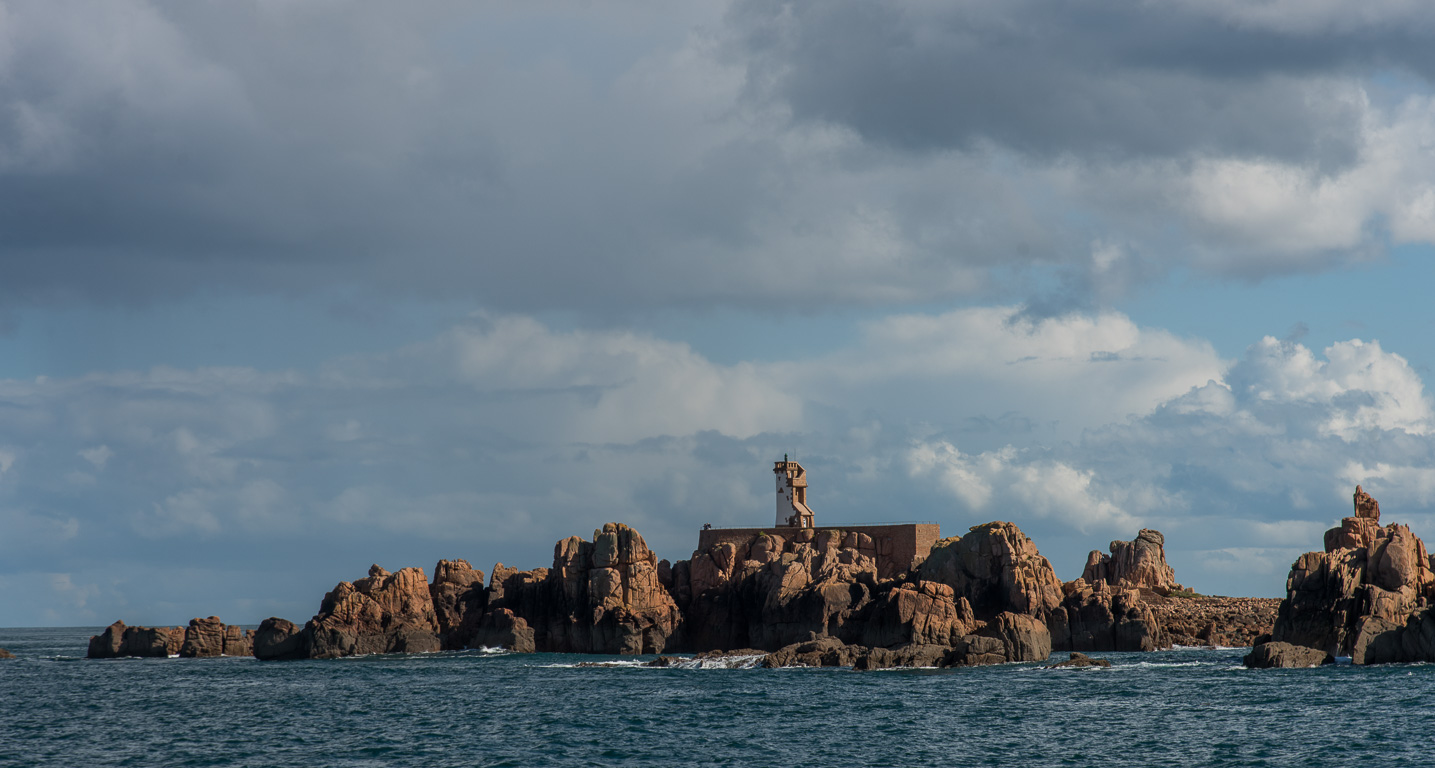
(987, 362)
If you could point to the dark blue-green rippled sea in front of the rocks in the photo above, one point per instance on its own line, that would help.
(476, 708)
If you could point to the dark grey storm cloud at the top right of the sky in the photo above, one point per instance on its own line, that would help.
(1101, 78)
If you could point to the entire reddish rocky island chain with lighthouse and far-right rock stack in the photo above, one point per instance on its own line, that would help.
(866, 596)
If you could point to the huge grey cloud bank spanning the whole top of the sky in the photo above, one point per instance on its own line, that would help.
(799, 157)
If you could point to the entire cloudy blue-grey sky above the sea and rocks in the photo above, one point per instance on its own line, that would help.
(293, 288)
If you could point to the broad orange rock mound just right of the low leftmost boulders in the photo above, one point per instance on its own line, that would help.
(381, 614)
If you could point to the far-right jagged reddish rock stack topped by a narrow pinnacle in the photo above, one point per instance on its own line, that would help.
(1367, 596)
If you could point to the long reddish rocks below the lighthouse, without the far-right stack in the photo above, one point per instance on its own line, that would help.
(813, 599)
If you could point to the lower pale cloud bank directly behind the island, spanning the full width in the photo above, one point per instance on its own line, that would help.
(504, 434)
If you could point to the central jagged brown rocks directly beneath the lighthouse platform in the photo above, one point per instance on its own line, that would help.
(978, 599)
